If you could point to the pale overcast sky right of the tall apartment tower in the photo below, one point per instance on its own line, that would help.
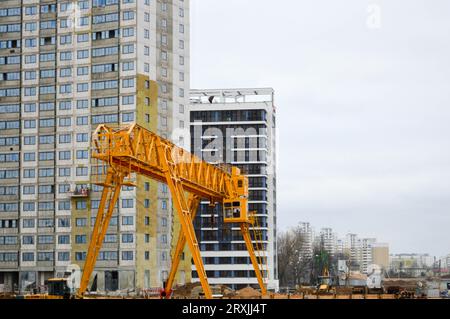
(363, 107)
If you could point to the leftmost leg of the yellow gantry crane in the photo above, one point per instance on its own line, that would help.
(112, 186)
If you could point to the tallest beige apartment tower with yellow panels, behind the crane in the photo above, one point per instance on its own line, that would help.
(65, 67)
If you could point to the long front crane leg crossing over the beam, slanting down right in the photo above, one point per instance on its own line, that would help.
(181, 205)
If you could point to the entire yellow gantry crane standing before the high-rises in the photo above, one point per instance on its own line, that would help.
(133, 149)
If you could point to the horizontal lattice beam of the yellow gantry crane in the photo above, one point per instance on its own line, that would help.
(134, 148)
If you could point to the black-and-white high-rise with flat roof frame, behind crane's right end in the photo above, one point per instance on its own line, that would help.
(237, 126)
